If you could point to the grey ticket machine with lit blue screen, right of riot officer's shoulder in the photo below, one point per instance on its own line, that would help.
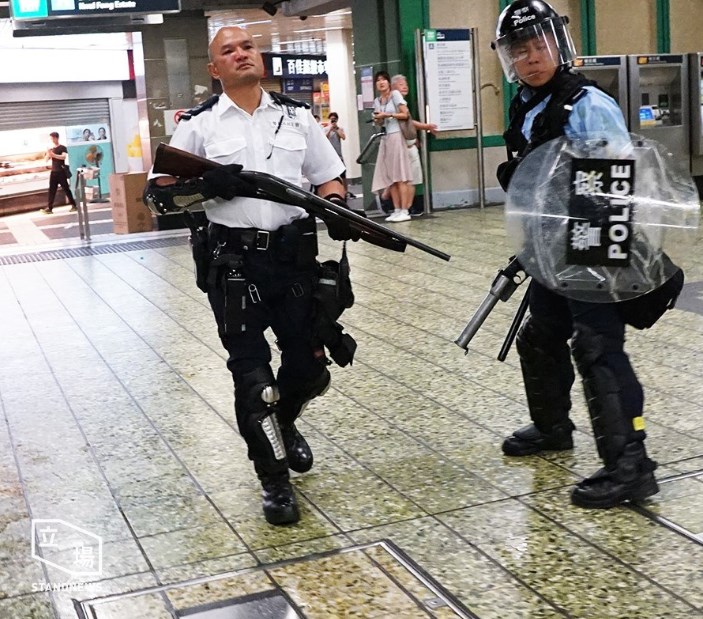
(659, 101)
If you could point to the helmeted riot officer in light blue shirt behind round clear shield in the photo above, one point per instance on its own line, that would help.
(536, 49)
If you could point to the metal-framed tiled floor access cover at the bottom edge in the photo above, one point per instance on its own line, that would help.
(375, 579)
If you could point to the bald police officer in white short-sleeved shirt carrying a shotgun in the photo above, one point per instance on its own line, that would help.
(263, 254)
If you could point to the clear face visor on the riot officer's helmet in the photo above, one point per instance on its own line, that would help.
(536, 48)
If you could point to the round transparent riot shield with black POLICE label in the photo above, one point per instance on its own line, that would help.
(601, 219)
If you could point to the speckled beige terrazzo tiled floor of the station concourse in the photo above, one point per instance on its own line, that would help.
(118, 449)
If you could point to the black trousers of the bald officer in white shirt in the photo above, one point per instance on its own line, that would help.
(284, 287)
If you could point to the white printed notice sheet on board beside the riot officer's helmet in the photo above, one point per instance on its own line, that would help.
(449, 78)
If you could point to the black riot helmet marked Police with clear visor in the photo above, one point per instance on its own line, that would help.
(535, 21)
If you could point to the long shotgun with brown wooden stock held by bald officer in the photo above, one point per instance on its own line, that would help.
(176, 162)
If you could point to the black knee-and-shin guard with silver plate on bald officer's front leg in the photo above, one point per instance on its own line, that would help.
(256, 399)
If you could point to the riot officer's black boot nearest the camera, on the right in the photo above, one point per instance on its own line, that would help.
(632, 479)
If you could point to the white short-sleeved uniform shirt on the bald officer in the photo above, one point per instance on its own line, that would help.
(227, 134)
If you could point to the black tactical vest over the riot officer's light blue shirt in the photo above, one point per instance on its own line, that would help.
(566, 89)
